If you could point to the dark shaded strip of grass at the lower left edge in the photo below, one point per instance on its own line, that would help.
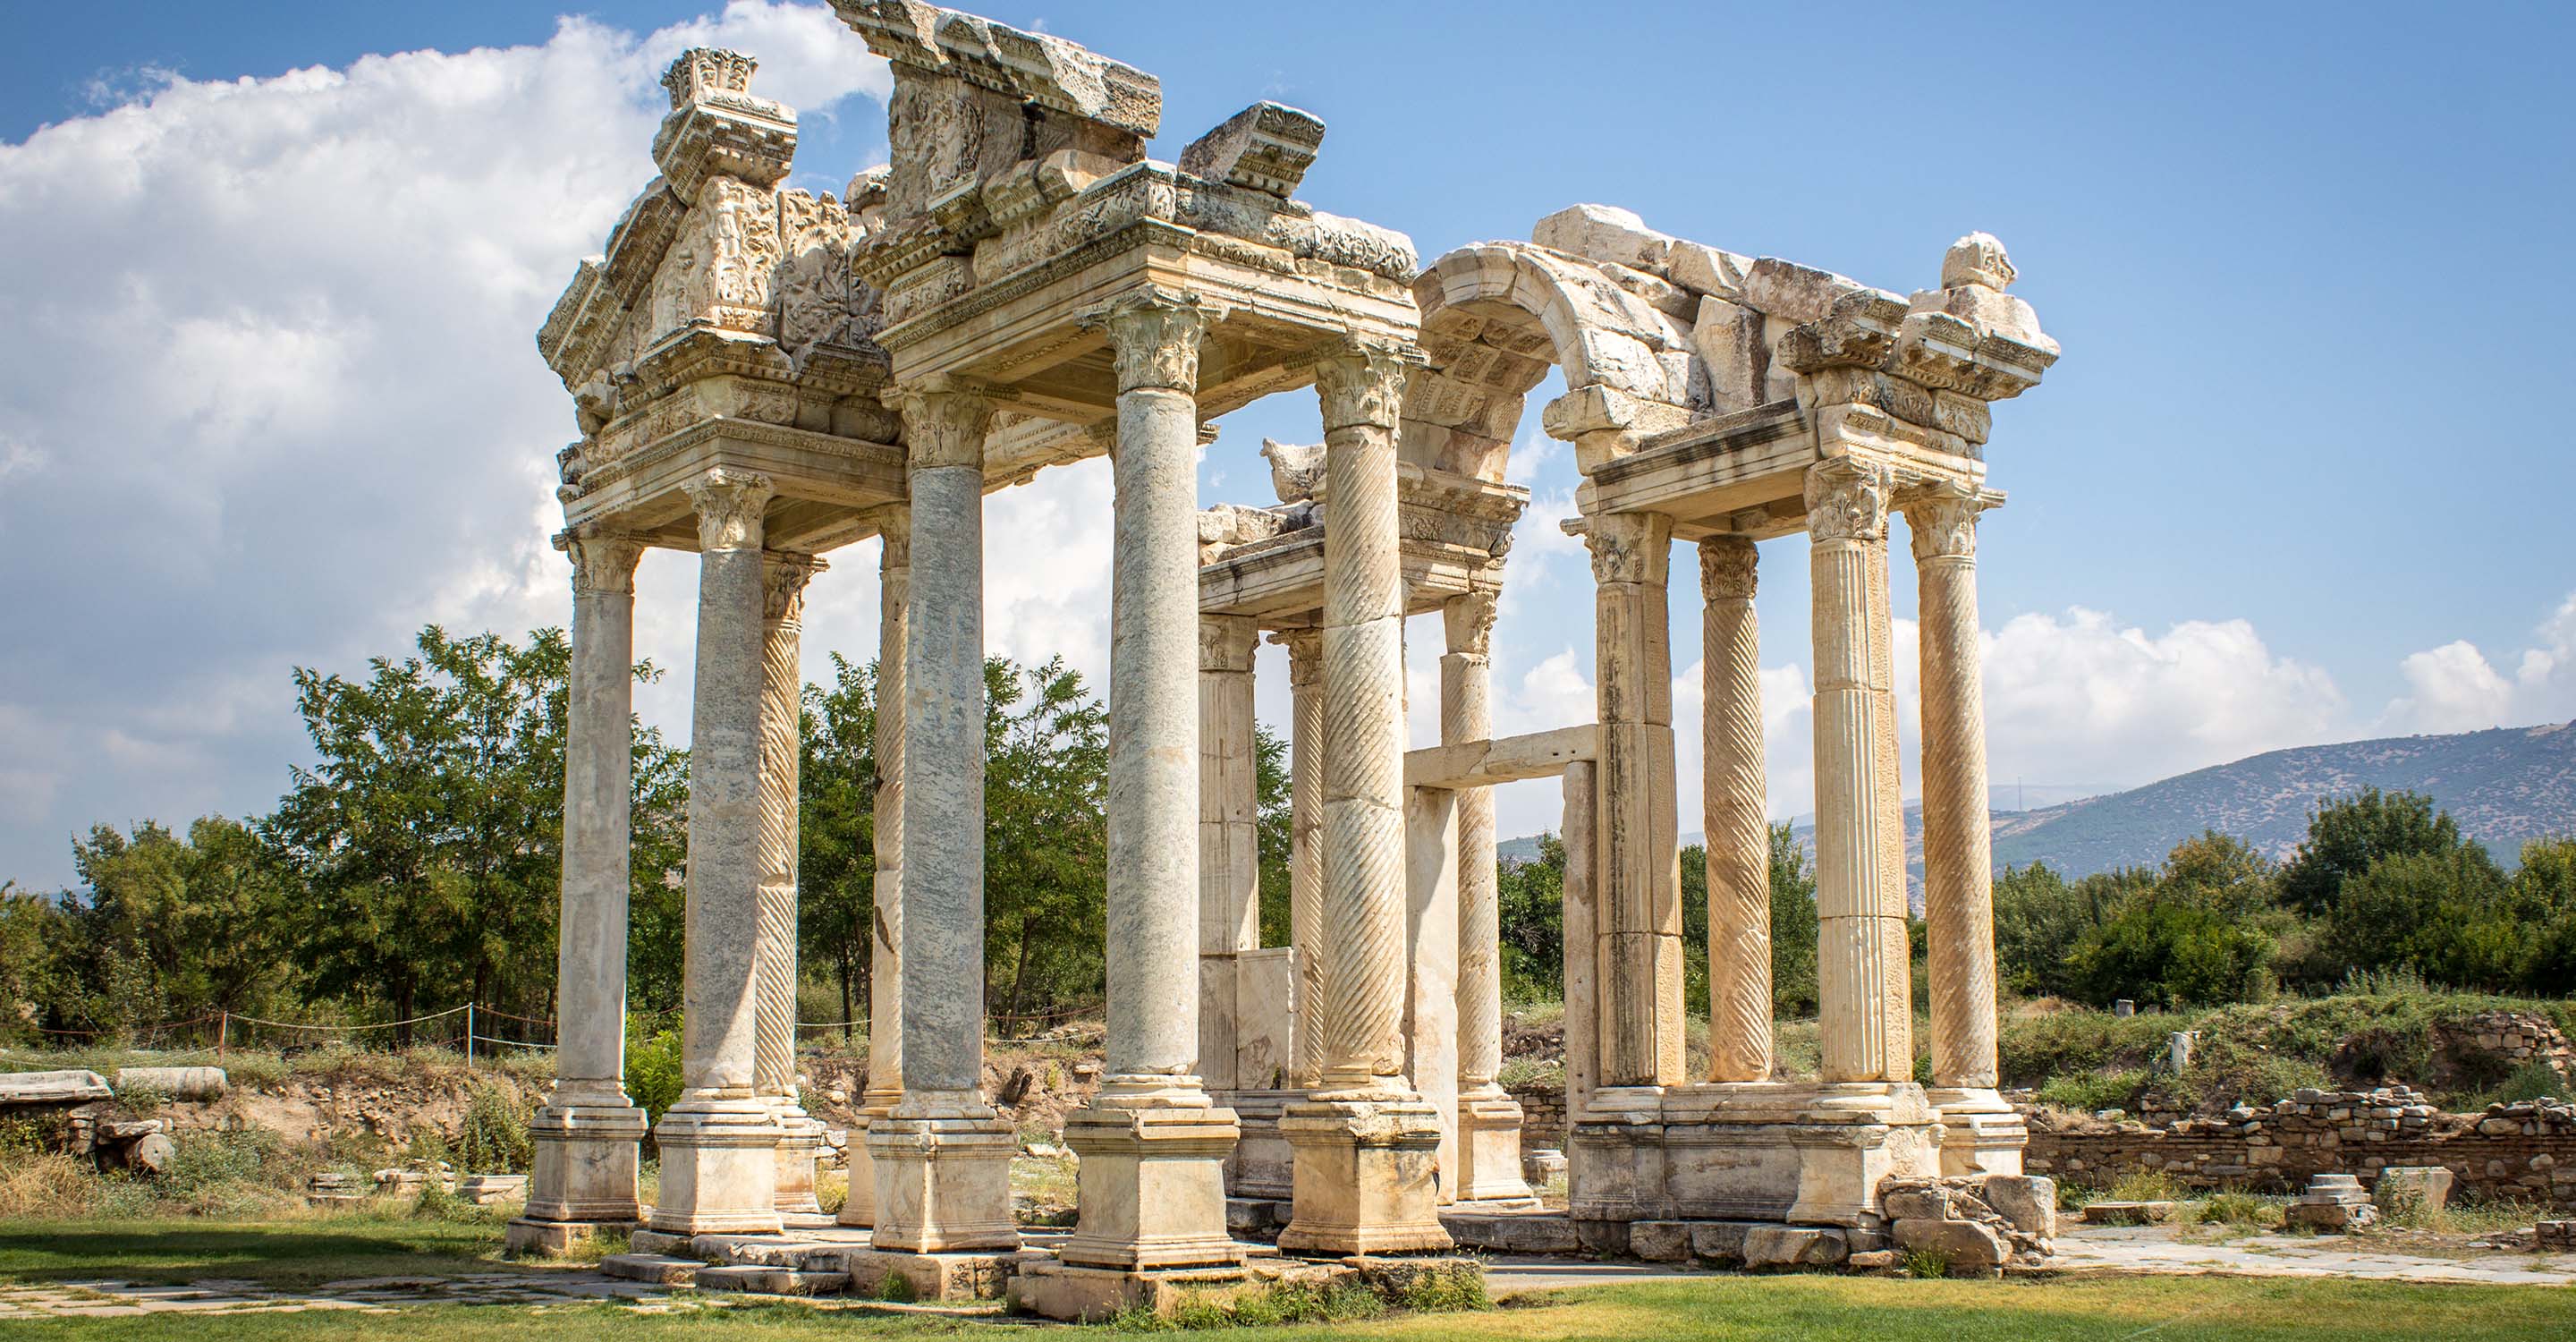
(269, 1253)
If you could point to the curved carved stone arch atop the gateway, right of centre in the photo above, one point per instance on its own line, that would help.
(1495, 318)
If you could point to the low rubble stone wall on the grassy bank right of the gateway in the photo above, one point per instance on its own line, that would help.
(2523, 1150)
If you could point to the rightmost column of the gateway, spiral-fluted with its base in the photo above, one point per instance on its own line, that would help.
(1985, 1135)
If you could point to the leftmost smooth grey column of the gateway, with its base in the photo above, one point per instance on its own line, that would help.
(589, 1129)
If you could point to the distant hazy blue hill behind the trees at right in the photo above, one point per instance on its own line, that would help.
(2503, 787)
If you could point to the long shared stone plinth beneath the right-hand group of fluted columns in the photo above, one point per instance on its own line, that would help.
(1797, 1153)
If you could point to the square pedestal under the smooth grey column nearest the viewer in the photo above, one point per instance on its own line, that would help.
(1153, 1184)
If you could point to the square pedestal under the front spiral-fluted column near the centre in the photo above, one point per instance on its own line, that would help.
(1364, 1176)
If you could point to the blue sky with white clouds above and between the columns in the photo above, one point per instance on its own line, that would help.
(2294, 480)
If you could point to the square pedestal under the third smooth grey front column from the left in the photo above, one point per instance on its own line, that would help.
(944, 1178)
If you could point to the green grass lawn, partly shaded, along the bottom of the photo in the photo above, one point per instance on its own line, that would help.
(1789, 1307)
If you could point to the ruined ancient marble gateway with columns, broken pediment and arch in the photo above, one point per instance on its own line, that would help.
(764, 375)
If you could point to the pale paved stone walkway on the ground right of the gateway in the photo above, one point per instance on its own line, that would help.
(2157, 1251)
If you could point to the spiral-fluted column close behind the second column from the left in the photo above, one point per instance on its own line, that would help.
(782, 743)
